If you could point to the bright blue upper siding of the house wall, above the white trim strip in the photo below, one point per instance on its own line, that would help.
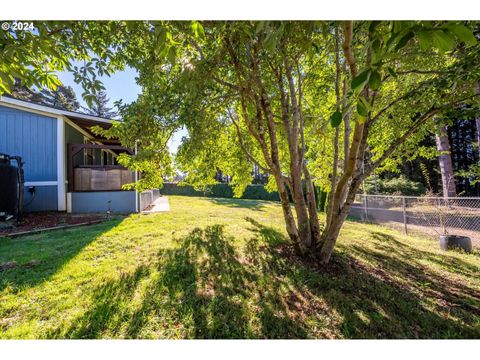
(34, 138)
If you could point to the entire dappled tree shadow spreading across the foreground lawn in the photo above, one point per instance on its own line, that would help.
(206, 287)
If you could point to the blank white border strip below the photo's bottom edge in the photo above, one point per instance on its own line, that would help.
(241, 350)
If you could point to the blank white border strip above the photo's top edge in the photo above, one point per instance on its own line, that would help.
(241, 10)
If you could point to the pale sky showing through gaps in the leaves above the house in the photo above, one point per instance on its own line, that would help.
(119, 86)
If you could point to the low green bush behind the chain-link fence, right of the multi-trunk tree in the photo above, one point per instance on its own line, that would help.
(395, 186)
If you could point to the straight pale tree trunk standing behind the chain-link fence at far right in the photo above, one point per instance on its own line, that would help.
(445, 161)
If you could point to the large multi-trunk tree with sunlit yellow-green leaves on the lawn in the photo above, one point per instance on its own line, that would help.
(307, 102)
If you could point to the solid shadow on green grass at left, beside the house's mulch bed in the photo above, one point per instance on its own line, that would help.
(38, 257)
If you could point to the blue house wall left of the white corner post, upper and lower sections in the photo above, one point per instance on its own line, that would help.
(33, 137)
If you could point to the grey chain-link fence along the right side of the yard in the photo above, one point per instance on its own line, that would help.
(429, 215)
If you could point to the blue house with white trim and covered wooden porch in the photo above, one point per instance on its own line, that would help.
(67, 167)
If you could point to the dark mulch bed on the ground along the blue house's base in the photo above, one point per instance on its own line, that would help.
(43, 220)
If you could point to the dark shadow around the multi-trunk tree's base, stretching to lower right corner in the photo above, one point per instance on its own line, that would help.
(391, 300)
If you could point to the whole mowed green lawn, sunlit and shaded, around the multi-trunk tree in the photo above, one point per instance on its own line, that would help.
(222, 268)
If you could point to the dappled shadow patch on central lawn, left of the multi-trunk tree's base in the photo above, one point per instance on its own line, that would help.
(210, 290)
